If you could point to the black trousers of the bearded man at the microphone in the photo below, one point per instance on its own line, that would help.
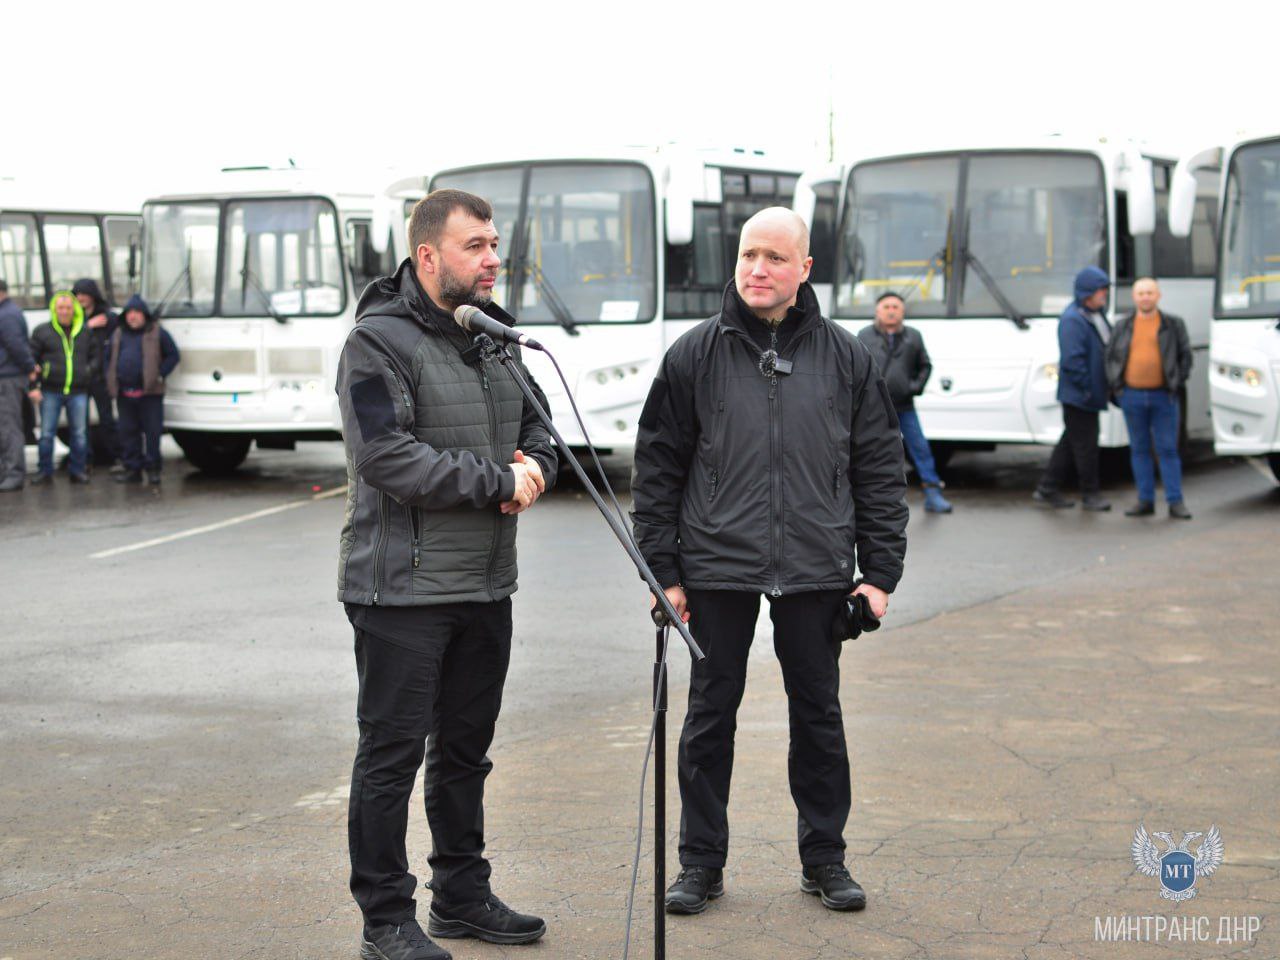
(444, 696)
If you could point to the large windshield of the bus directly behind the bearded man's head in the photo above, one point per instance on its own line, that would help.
(577, 240)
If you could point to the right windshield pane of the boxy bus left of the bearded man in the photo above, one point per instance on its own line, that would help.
(281, 257)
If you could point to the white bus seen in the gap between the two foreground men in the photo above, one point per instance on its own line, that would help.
(609, 258)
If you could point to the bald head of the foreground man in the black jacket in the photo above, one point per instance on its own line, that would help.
(772, 263)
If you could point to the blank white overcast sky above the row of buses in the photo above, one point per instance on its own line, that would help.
(117, 88)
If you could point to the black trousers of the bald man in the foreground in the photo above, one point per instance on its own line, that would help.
(724, 624)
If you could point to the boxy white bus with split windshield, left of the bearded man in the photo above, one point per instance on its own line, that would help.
(258, 281)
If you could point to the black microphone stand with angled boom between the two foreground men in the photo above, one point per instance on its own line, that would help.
(664, 616)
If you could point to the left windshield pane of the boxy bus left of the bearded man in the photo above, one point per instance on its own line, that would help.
(180, 260)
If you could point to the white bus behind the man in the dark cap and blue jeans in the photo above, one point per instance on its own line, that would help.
(984, 244)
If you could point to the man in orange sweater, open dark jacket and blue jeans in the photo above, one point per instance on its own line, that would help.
(1149, 362)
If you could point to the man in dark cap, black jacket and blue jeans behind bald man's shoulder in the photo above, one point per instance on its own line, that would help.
(904, 363)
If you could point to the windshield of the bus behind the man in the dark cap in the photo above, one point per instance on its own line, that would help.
(1030, 222)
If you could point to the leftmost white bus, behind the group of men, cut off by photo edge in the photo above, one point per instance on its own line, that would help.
(53, 235)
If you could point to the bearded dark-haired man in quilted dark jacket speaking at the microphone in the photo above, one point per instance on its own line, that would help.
(442, 454)
